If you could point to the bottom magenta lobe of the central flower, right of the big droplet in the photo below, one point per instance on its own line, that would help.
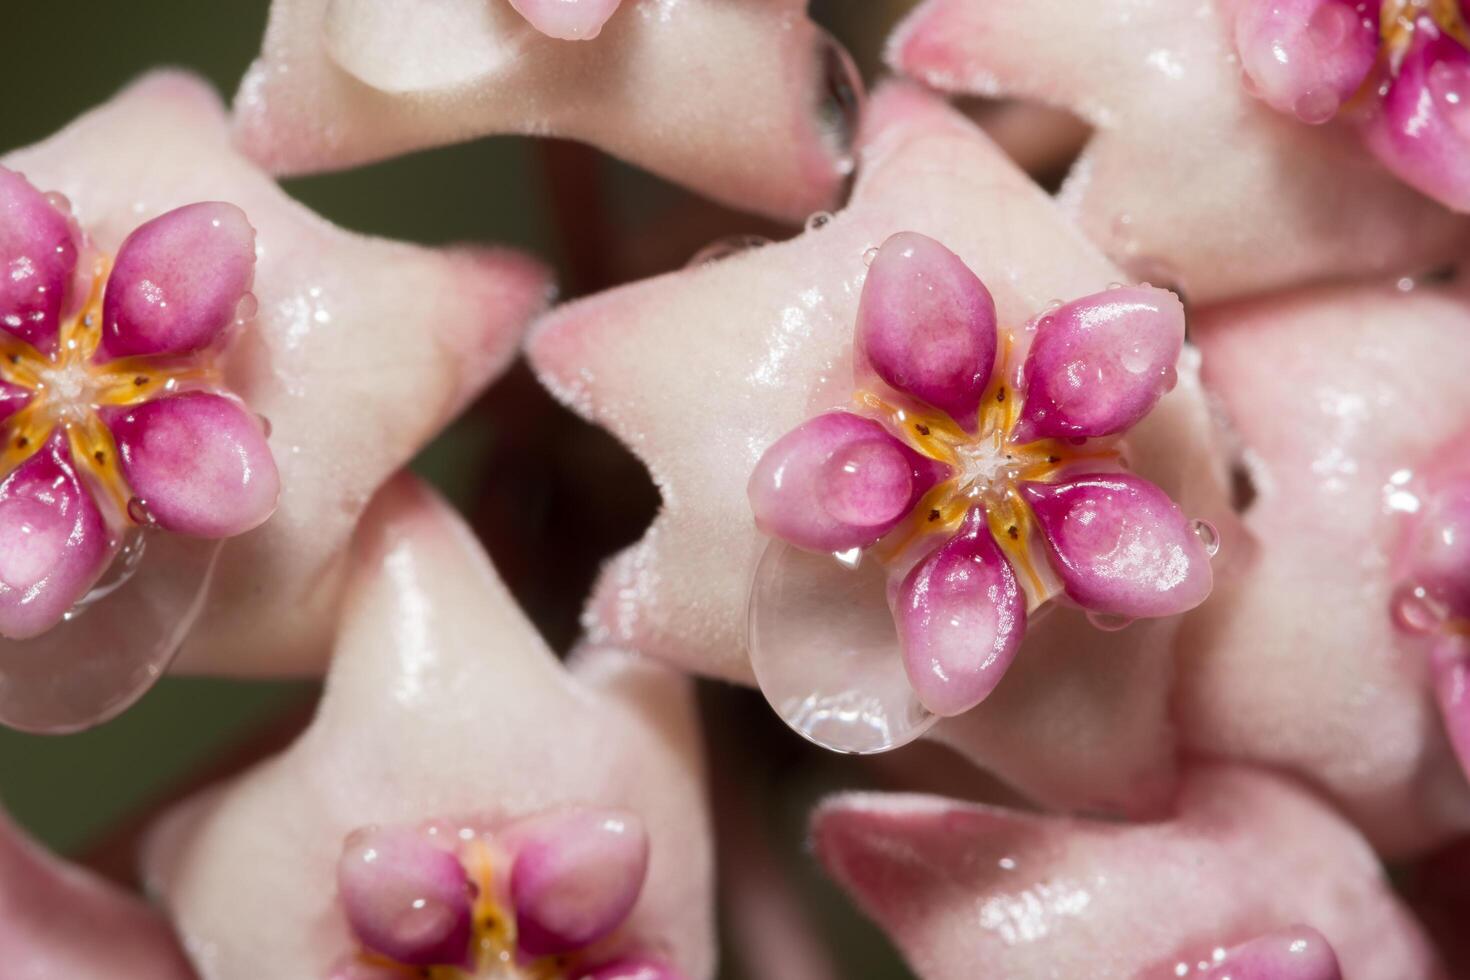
(961, 618)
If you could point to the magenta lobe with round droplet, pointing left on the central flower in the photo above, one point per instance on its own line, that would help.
(839, 481)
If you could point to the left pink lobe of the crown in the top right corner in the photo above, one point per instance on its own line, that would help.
(1306, 57)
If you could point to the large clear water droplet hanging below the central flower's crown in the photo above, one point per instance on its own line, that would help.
(825, 653)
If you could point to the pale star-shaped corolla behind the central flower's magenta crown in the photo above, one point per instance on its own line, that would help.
(1083, 716)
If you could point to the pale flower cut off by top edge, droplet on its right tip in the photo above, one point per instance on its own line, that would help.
(749, 104)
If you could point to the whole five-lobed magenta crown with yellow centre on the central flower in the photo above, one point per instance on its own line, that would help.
(983, 471)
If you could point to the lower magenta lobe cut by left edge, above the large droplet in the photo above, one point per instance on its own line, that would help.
(54, 543)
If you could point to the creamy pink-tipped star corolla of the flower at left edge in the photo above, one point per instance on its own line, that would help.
(346, 325)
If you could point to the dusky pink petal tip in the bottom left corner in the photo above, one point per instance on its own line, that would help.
(62, 922)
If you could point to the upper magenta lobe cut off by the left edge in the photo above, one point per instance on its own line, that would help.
(37, 258)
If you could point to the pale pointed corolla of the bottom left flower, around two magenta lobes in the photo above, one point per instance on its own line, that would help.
(437, 707)
